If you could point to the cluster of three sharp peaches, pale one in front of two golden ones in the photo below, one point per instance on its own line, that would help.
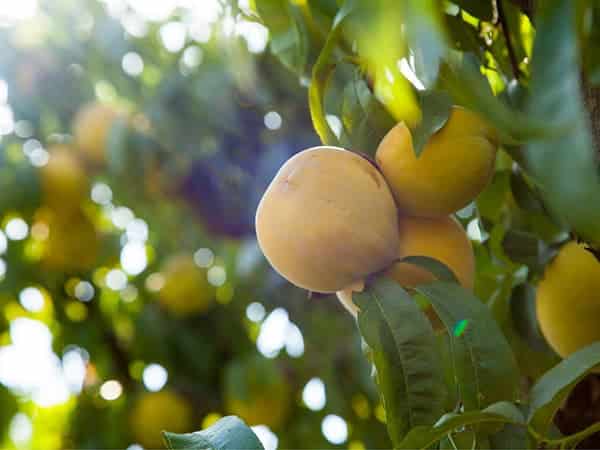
(330, 217)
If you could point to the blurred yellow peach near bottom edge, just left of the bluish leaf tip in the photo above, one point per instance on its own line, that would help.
(156, 412)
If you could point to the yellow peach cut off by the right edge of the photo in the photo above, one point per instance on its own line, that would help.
(568, 300)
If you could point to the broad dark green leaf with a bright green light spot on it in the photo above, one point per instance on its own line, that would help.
(485, 368)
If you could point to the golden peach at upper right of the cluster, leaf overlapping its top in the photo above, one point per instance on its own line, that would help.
(453, 168)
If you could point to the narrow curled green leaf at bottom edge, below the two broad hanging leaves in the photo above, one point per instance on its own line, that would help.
(423, 437)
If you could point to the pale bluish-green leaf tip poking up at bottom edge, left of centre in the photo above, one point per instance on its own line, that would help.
(229, 433)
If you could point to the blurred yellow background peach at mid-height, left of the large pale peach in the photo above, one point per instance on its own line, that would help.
(186, 290)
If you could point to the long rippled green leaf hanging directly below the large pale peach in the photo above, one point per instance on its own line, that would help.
(405, 355)
